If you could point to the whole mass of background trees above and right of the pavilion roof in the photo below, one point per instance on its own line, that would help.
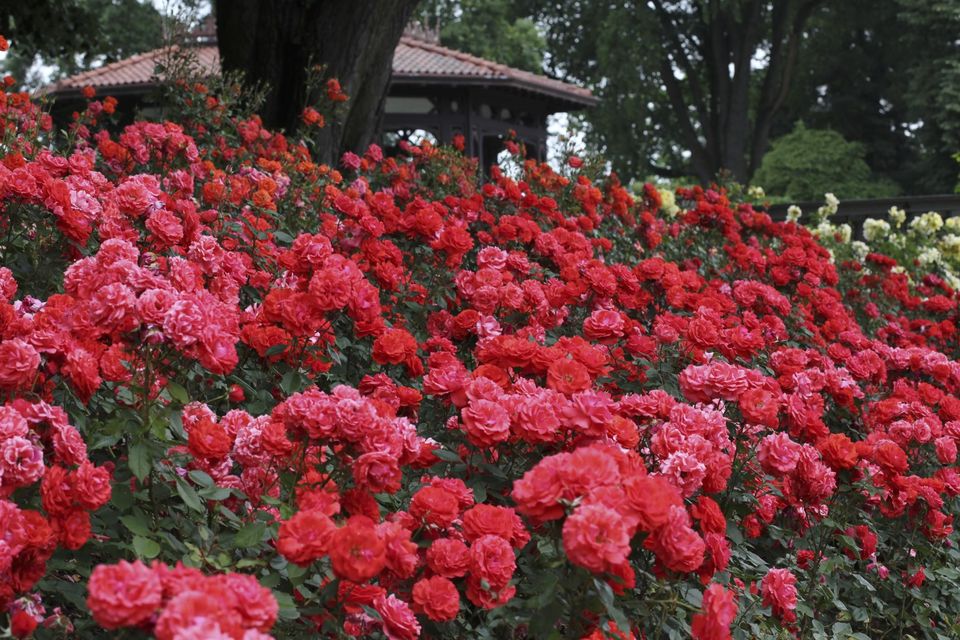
(693, 88)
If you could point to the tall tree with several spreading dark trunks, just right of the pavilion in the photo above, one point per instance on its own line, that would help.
(687, 87)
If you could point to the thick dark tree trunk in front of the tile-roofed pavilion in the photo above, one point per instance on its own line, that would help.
(275, 41)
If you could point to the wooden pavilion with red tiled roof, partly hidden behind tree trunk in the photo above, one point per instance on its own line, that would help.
(435, 92)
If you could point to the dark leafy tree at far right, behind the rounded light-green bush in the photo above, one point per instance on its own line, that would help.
(886, 75)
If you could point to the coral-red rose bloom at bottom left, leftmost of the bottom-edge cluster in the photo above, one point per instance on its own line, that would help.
(124, 594)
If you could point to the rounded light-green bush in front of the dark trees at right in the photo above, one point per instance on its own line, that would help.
(806, 163)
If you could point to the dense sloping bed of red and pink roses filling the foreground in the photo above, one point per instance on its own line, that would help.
(249, 396)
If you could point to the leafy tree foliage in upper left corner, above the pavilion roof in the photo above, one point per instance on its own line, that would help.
(68, 36)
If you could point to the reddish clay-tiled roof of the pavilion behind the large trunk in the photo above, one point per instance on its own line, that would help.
(413, 61)
